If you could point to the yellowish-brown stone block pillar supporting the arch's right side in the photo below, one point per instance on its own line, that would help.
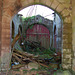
(67, 46)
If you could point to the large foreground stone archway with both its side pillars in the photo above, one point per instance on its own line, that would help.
(11, 7)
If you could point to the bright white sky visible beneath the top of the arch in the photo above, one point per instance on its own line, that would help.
(37, 10)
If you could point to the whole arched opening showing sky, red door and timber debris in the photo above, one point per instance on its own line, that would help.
(37, 39)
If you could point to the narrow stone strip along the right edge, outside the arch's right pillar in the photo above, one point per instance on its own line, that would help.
(73, 33)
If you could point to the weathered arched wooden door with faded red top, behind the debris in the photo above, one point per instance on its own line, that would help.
(39, 33)
